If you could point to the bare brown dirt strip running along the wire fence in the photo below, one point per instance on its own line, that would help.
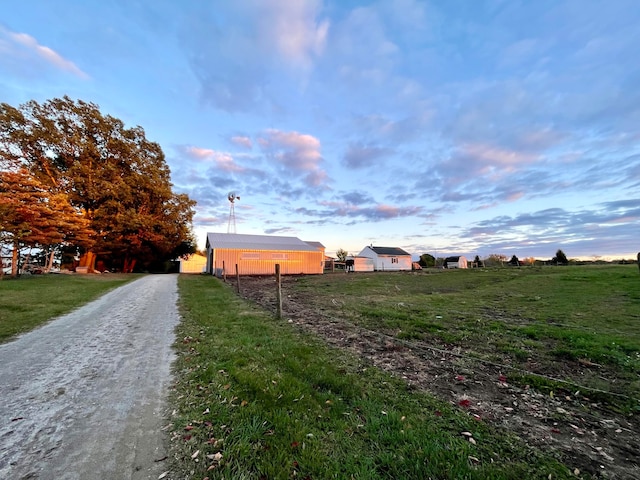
(590, 439)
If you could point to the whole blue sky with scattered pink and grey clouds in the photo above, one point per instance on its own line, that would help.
(469, 127)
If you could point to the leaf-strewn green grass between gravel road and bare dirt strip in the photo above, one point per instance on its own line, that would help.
(254, 398)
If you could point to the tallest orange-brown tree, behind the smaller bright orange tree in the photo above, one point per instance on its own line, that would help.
(112, 176)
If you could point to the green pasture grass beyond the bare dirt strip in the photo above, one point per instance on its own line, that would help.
(559, 317)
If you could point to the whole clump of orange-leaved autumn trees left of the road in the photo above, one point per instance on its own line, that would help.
(78, 183)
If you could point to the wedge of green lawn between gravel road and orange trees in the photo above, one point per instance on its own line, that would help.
(29, 301)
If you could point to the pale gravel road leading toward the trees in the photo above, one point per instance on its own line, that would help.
(84, 396)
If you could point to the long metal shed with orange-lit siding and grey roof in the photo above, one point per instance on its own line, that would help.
(258, 254)
